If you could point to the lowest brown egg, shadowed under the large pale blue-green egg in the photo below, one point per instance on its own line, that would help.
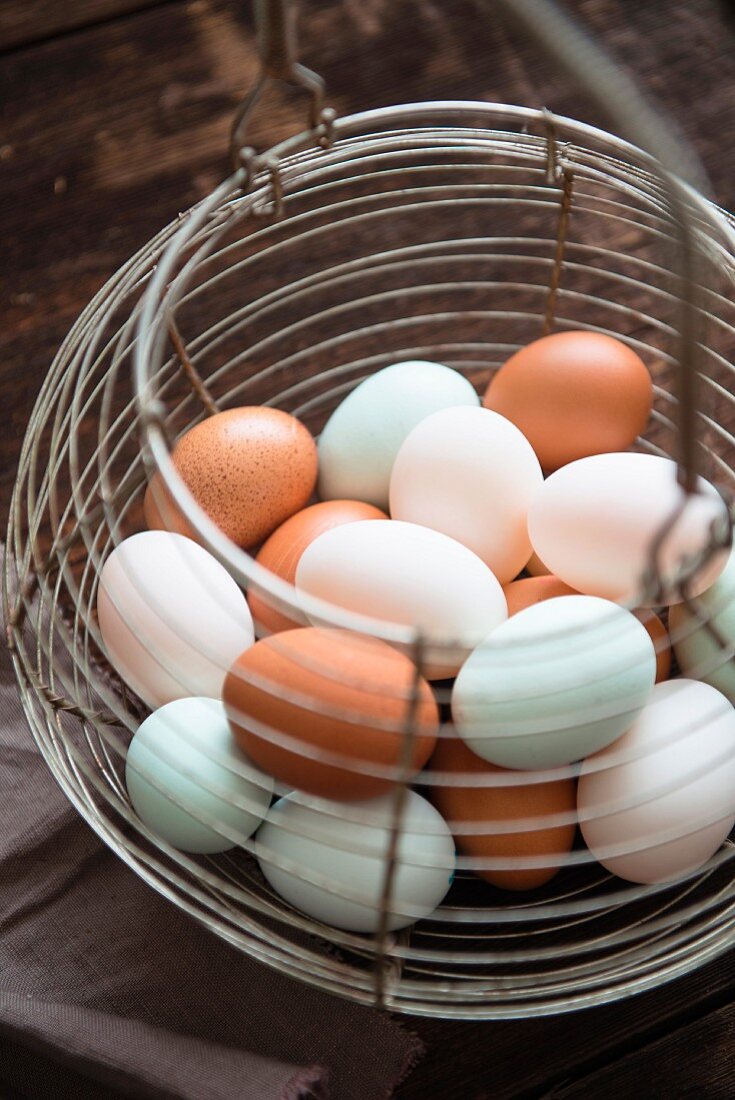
(463, 807)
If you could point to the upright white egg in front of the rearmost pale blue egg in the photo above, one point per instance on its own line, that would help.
(471, 475)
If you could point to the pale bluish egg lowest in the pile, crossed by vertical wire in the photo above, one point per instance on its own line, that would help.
(328, 860)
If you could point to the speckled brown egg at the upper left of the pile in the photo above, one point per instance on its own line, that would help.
(249, 469)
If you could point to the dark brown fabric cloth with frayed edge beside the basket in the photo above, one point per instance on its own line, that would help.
(109, 991)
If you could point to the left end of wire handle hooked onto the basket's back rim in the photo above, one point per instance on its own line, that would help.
(276, 23)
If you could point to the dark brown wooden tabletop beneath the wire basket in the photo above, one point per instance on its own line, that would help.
(116, 117)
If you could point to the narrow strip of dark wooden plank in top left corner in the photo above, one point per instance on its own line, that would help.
(24, 23)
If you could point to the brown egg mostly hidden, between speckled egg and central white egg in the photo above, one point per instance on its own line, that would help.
(282, 552)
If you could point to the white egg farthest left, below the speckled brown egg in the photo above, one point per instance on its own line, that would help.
(172, 619)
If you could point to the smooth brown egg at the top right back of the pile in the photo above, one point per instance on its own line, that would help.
(574, 394)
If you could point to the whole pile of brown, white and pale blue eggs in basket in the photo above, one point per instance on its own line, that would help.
(510, 536)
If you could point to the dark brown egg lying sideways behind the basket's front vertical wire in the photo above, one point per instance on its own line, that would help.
(328, 692)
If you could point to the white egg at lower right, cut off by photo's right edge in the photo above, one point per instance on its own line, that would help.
(660, 802)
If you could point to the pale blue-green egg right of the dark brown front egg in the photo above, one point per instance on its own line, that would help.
(556, 683)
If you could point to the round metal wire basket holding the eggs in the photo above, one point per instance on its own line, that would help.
(455, 233)
